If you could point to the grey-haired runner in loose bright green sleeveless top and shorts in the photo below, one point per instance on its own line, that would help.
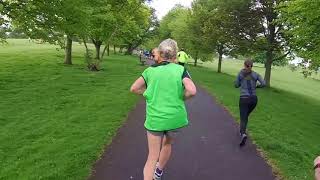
(165, 86)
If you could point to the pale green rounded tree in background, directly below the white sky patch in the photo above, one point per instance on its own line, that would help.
(180, 25)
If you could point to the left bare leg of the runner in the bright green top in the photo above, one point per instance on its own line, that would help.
(154, 144)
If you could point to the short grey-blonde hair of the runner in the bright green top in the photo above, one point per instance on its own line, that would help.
(168, 49)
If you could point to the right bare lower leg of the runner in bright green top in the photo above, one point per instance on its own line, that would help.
(165, 151)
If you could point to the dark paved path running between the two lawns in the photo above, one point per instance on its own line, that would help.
(206, 150)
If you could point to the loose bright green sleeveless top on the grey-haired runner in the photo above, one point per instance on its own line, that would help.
(165, 97)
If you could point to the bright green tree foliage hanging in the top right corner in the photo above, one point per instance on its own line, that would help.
(301, 25)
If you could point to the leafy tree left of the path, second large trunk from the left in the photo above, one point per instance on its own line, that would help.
(109, 19)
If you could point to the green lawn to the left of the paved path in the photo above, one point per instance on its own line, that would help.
(56, 119)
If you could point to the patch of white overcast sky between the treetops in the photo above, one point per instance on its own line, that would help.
(163, 6)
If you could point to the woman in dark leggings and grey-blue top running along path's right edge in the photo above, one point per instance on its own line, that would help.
(247, 82)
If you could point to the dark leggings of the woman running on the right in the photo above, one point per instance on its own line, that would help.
(246, 105)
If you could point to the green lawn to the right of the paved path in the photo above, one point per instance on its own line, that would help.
(285, 124)
